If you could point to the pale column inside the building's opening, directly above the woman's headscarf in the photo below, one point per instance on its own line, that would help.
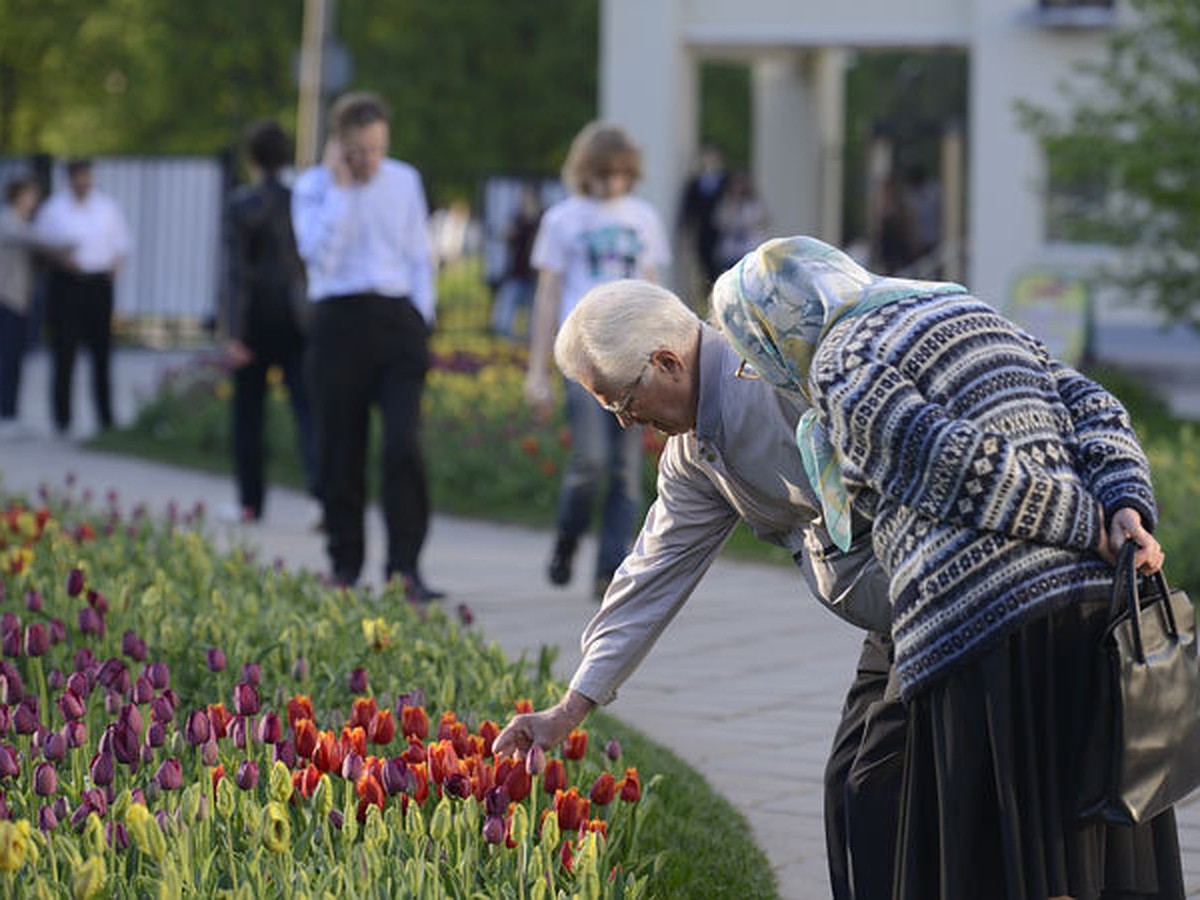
(787, 143)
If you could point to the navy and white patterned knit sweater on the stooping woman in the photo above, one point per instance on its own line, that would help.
(982, 461)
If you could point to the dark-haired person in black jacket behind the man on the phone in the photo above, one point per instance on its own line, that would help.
(267, 314)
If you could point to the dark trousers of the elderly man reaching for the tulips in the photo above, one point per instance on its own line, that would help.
(863, 781)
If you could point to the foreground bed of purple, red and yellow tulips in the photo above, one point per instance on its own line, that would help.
(173, 722)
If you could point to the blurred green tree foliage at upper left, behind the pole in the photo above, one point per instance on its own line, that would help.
(476, 87)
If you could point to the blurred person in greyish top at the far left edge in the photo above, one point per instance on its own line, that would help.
(19, 244)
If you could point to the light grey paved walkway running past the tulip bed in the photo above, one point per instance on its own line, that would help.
(746, 685)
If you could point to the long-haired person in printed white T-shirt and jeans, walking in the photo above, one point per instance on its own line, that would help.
(599, 235)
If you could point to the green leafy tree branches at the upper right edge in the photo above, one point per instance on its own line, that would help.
(1130, 146)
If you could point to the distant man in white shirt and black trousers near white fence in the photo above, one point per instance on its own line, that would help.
(80, 296)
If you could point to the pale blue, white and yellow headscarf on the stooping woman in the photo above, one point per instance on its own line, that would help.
(776, 307)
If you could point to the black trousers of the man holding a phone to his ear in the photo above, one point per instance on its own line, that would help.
(365, 351)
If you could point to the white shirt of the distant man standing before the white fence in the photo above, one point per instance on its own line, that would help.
(94, 227)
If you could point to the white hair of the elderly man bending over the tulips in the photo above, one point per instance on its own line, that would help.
(613, 332)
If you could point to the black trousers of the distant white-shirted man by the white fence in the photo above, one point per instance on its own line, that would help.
(80, 309)
